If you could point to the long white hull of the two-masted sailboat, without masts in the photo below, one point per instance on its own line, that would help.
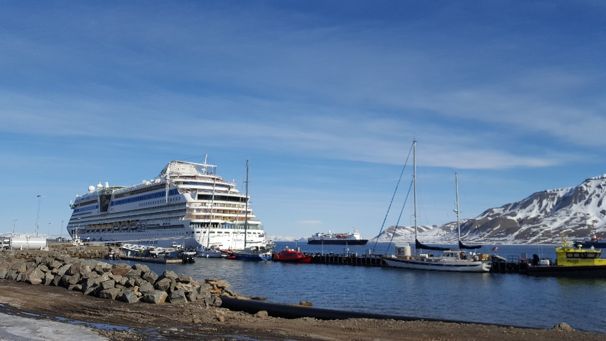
(438, 265)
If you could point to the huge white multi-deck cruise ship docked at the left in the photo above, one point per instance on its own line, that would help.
(187, 204)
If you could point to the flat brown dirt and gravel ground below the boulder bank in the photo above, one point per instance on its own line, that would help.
(141, 321)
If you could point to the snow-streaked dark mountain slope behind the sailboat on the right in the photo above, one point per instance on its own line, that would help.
(542, 217)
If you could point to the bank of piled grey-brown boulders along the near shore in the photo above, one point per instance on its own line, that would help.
(123, 282)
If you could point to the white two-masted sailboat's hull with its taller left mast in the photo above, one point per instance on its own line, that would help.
(449, 260)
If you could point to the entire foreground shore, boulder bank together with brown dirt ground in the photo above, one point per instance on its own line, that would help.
(134, 302)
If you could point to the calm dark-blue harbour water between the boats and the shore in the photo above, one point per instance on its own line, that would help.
(495, 298)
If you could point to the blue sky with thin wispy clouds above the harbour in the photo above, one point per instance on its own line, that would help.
(323, 97)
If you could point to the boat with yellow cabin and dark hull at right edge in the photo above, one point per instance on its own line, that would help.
(573, 262)
